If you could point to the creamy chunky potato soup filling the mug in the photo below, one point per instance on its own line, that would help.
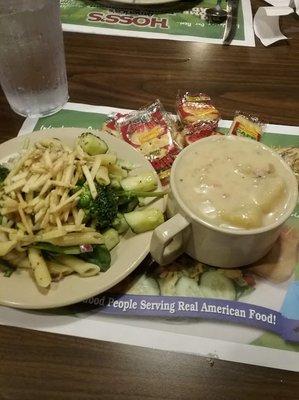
(233, 183)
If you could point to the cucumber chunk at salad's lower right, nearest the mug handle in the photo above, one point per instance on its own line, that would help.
(144, 220)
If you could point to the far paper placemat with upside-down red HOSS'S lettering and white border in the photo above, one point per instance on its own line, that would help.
(188, 25)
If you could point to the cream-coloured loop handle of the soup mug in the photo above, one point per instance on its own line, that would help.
(167, 240)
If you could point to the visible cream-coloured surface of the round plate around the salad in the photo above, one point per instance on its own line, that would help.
(20, 290)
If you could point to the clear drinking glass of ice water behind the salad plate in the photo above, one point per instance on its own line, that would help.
(32, 62)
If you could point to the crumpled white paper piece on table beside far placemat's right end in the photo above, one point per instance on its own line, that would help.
(266, 22)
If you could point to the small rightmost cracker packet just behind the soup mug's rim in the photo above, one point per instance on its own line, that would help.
(246, 125)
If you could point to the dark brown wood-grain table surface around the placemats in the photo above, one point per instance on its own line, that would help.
(128, 72)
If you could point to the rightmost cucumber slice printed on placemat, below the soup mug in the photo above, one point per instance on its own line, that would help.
(215, 285)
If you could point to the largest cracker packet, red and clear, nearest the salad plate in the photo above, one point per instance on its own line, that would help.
(153, 132)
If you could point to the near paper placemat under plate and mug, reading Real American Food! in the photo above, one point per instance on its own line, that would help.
(260, 328)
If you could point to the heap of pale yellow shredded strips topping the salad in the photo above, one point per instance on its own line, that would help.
(37, 203)
